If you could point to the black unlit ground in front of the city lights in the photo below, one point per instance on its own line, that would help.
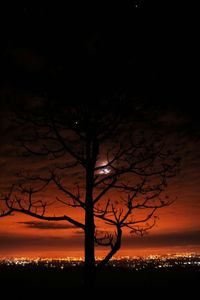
(155, 283)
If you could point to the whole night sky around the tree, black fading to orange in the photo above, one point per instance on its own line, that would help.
(93, 52)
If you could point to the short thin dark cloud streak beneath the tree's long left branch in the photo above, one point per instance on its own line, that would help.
(46, 225)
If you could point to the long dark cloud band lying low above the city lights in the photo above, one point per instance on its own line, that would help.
(174, 239)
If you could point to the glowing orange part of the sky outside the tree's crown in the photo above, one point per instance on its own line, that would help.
(177, 229)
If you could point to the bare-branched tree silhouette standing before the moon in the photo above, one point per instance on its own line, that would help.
(115, 155)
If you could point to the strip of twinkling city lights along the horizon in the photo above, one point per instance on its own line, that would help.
(135, 263)
